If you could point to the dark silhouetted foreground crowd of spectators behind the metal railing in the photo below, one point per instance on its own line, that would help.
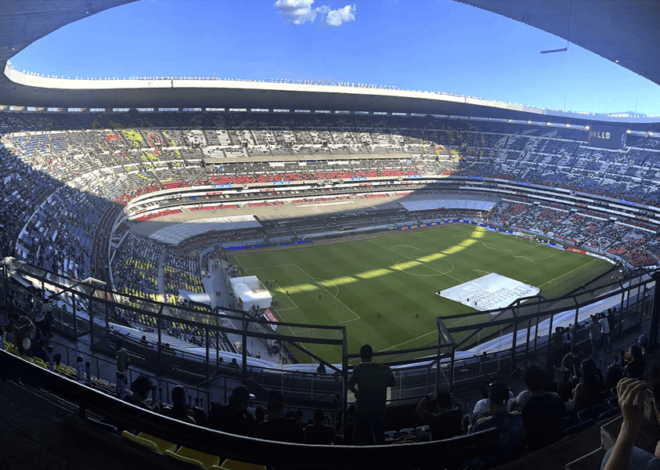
(537, 415)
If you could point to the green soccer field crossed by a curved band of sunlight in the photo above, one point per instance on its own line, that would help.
(376, 286)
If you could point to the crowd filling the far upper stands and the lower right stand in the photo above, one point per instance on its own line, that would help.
(61, 172)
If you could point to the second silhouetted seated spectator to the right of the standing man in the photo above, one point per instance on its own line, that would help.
(509, 425)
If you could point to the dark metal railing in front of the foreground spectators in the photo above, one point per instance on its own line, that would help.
(476, 344)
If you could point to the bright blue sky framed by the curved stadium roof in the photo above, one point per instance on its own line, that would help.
(435, 45)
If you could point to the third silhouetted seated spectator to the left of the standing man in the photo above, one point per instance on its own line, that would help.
(234, 417)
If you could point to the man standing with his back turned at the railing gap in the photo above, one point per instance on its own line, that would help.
(372, 381)
